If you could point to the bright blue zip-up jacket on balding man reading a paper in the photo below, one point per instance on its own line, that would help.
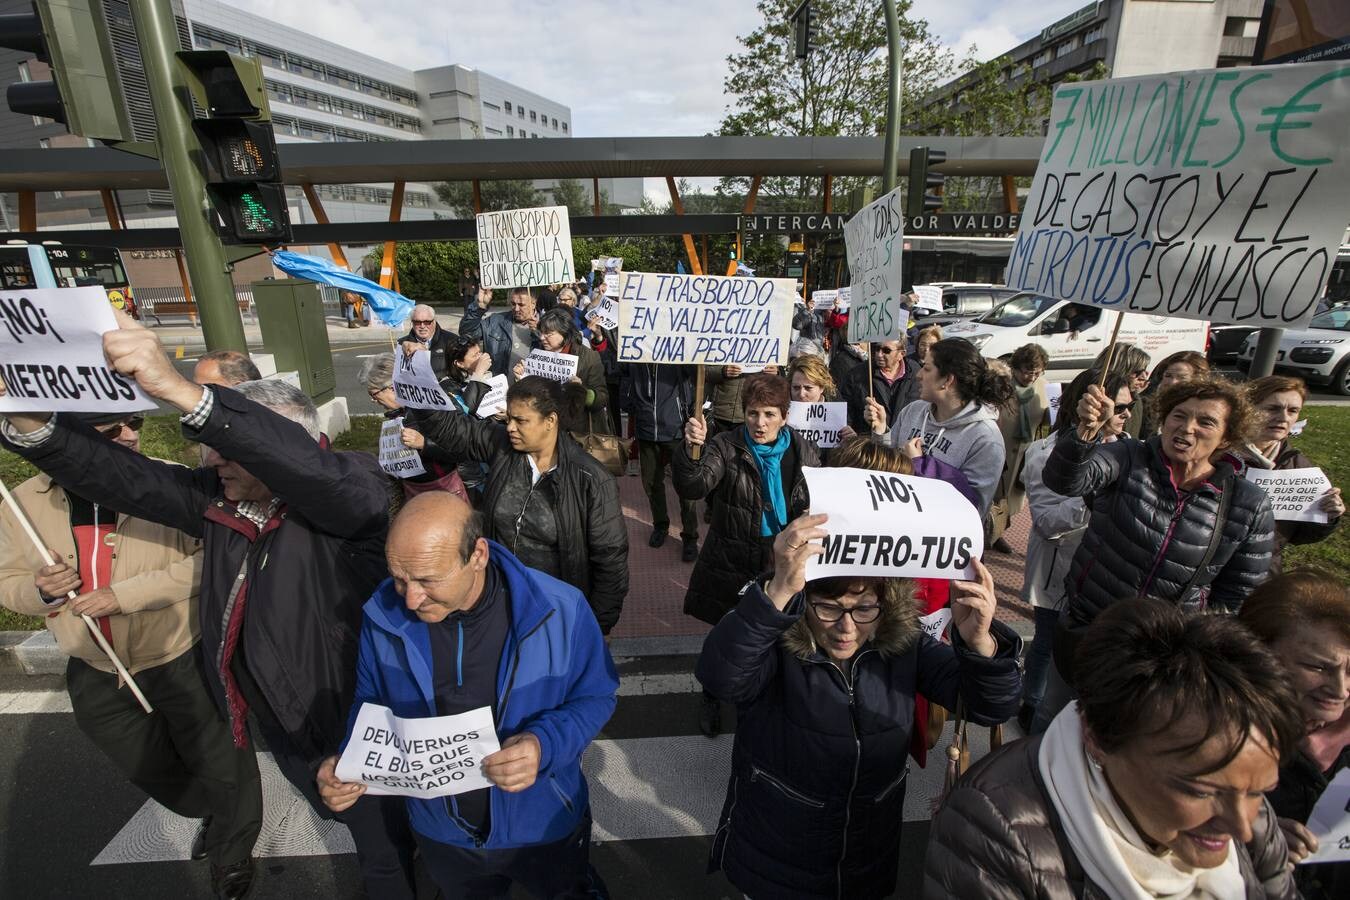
(556, 679)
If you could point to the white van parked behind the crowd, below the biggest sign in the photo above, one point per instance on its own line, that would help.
(1073, 334)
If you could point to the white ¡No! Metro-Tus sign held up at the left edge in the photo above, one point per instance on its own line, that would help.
(52, 354)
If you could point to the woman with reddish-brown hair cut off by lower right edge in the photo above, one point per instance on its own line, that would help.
(1305, 619)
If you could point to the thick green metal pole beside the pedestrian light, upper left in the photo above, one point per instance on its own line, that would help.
(180, 154)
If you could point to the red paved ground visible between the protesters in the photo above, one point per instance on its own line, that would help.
(658, 580)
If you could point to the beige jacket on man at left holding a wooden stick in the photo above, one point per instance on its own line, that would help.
(156, 573)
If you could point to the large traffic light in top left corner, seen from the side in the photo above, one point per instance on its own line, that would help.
(86, 92)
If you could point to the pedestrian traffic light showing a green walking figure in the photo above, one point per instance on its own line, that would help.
(244, 172)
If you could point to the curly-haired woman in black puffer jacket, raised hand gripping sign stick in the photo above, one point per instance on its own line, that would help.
(1155, 512)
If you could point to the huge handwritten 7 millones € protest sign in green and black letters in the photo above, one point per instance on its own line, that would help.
(1214, 195)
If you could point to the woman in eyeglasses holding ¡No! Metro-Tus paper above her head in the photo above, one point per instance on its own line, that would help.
(824, 675)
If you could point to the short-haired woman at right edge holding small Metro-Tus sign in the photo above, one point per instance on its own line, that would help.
(1279, 403)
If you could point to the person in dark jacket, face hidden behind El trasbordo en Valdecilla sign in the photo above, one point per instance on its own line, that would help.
(658, 400)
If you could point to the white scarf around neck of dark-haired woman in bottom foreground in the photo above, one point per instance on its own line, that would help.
(1109, 848)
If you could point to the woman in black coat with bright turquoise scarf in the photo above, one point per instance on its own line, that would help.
(753, 480)
